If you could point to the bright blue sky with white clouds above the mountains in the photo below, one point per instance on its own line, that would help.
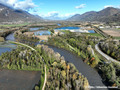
(60, 9)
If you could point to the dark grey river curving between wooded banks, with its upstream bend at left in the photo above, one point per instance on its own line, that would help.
(91, 74)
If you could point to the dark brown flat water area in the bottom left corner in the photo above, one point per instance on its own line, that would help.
(18, 80)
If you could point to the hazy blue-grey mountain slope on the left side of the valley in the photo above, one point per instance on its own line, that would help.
(8, 14)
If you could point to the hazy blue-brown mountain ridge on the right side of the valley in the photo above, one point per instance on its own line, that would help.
(109, 14)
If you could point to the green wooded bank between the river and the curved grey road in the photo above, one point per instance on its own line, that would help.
(83, 46)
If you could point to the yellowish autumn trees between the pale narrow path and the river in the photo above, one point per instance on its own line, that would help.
(61, 75)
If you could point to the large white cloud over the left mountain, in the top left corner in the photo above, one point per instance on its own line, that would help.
(24, 5)
